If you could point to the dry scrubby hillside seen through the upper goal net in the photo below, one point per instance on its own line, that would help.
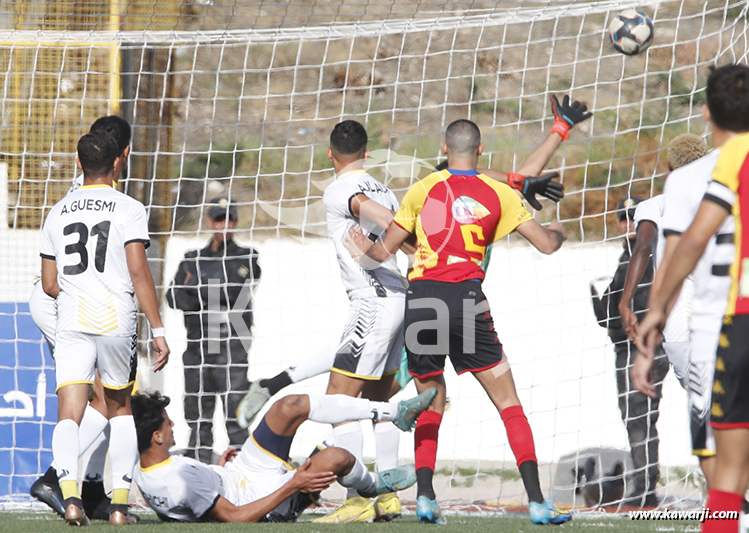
(258, 114)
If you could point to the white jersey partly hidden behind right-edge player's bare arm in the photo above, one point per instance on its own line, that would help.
(683, 194)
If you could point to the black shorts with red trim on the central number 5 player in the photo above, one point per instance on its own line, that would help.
(435, 327)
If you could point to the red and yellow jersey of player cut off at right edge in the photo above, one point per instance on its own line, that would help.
(730, 188)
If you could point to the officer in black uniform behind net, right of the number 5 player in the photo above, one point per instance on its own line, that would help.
(639, 413)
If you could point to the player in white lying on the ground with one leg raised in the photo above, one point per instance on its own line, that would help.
(257, 483)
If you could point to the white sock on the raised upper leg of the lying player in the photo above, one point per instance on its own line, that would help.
(337, 408)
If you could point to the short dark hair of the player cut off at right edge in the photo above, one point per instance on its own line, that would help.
(728, 97)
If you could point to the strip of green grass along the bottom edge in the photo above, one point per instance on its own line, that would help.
(43, 522)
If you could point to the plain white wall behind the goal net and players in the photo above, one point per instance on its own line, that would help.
(562, 360)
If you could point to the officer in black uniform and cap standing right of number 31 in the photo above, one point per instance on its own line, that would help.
(214, 288)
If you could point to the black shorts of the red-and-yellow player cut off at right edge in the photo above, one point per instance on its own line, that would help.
(730, 402)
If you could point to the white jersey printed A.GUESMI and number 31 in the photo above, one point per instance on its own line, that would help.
(86, 234)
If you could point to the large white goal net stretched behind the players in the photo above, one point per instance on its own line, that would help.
(238, 98)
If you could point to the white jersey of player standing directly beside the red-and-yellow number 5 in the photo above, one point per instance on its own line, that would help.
(337, 200)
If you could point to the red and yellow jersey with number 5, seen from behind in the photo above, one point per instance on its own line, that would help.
(455, 216)
